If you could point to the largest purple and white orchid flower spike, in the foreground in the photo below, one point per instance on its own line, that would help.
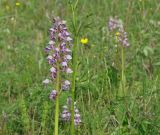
(59, 54)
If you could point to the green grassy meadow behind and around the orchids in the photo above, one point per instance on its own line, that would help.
(24, 104)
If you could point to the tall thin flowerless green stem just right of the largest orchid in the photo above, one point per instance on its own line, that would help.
(74, 67)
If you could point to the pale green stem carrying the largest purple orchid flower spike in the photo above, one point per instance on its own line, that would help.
(57, 101)
